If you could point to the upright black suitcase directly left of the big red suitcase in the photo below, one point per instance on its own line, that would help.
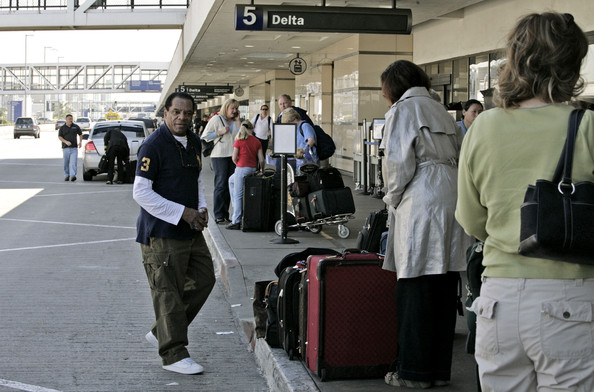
(288, 311)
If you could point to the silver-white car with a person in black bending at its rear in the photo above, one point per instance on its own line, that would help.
(135, 132)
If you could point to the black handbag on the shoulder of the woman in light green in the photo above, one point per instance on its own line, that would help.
(557, 215)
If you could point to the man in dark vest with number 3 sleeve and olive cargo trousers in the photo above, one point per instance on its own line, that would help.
(173, 214)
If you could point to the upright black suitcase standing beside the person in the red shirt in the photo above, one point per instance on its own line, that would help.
(258, 202)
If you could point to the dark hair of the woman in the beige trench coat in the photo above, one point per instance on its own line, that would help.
(400, 76)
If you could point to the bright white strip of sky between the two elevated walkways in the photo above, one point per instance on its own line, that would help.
(87, 46)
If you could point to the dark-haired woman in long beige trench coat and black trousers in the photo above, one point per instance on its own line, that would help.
(425, 245)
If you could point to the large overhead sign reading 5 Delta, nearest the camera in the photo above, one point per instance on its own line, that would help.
(323, 19)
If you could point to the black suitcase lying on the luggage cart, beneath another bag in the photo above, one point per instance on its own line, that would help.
(329, 202)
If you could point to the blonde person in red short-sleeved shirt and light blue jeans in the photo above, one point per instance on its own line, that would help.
(247, 153)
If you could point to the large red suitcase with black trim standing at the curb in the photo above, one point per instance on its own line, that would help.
(351, 316)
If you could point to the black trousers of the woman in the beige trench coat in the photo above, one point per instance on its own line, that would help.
(426, 309)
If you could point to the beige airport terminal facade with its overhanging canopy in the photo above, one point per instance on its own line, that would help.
(458, 43)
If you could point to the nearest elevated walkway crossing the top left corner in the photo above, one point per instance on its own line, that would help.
(92, 14)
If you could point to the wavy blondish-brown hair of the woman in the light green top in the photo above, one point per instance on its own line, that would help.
(544, 56)
